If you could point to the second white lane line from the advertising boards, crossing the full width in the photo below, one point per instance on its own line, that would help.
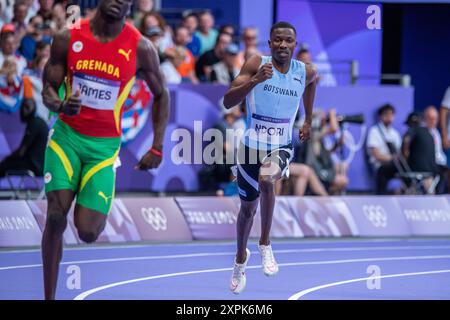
(230, 253)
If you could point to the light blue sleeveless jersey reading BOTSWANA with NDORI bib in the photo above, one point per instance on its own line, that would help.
(272, 106)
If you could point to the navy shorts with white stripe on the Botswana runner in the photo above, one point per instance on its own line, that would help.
(249, 162)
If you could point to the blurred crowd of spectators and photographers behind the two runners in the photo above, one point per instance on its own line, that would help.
(197, 51)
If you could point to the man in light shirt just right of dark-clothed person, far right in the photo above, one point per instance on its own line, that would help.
(431, 118)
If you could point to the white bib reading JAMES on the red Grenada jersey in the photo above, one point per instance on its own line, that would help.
(96, 93)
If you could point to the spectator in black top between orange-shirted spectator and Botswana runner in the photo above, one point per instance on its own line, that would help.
(204, 64)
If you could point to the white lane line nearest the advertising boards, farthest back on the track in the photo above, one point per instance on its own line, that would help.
(305, 241)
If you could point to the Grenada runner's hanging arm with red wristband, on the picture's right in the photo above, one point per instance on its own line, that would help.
(148, 67)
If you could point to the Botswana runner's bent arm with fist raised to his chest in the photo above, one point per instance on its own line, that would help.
(247, 79)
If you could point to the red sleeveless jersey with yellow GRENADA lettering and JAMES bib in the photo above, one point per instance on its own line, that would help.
(104, 73)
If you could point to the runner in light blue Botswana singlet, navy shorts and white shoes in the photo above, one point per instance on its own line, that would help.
(273, 87)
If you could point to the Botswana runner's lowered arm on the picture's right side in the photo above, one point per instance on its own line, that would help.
(308, 100)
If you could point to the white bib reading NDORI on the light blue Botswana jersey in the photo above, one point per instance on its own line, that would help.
(269, 130)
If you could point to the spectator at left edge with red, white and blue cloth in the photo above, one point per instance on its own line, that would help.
(11, 93)
